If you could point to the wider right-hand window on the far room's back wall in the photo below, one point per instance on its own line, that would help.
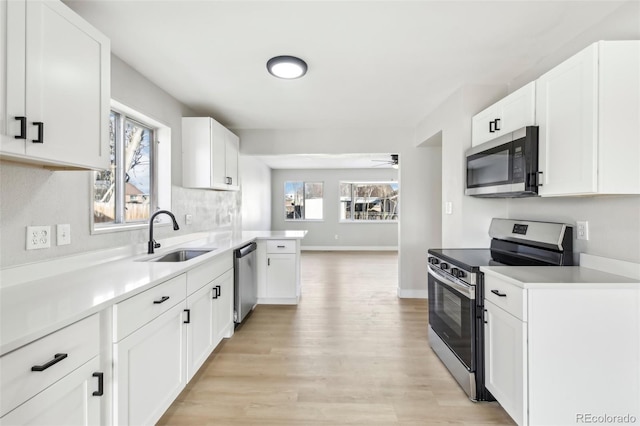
(368, 201)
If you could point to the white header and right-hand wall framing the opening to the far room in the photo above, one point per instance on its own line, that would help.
(416, 177)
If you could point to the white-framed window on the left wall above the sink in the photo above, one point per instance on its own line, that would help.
(125, 195)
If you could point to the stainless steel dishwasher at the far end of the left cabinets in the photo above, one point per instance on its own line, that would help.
(245, 281)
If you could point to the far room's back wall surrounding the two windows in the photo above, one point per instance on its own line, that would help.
(321, 234)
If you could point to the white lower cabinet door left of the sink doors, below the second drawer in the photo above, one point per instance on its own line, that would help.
(149, 369)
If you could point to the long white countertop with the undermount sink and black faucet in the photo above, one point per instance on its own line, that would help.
(73, 288)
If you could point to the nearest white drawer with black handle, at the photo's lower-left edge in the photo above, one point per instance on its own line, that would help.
(79, 342)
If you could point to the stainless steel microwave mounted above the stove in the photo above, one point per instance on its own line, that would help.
(506, 167)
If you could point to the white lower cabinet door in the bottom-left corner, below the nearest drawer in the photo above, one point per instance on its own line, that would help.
(72, 401)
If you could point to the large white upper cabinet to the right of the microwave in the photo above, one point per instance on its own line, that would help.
(588, 110)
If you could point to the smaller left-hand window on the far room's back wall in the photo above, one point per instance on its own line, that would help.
(303, 200)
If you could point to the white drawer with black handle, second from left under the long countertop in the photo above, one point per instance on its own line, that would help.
(135, 312)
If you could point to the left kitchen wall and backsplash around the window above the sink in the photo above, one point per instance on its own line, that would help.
(35, 196)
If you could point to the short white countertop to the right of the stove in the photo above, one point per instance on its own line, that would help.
(559, 277)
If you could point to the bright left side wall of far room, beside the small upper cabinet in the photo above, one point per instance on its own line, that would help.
(255, 183)
